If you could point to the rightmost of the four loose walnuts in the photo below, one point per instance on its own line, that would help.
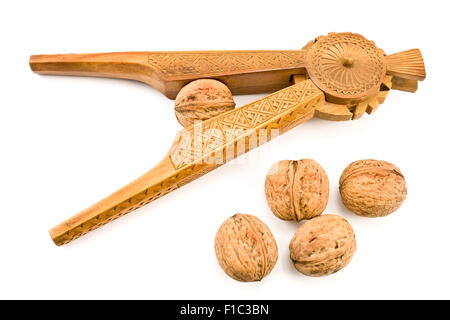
(372, 188)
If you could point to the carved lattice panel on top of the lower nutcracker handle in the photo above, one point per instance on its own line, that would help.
(280, 110)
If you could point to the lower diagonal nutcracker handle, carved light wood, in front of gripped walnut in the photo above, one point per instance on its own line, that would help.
(199, 149)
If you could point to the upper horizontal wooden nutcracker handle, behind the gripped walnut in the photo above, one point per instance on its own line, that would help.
(244, 72)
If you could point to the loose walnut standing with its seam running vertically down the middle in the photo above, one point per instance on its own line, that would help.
(297, 190)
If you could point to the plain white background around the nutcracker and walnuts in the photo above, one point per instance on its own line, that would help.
(66, 142)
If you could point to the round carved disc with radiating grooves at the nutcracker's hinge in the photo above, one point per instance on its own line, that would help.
(346, 65)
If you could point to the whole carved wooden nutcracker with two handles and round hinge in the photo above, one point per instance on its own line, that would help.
(336, 77)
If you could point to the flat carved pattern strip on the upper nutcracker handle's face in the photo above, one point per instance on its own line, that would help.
(212, 63)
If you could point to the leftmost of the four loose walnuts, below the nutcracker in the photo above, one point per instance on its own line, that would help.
(245, 248)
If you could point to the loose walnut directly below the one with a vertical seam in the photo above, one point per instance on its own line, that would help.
(323, 245)
